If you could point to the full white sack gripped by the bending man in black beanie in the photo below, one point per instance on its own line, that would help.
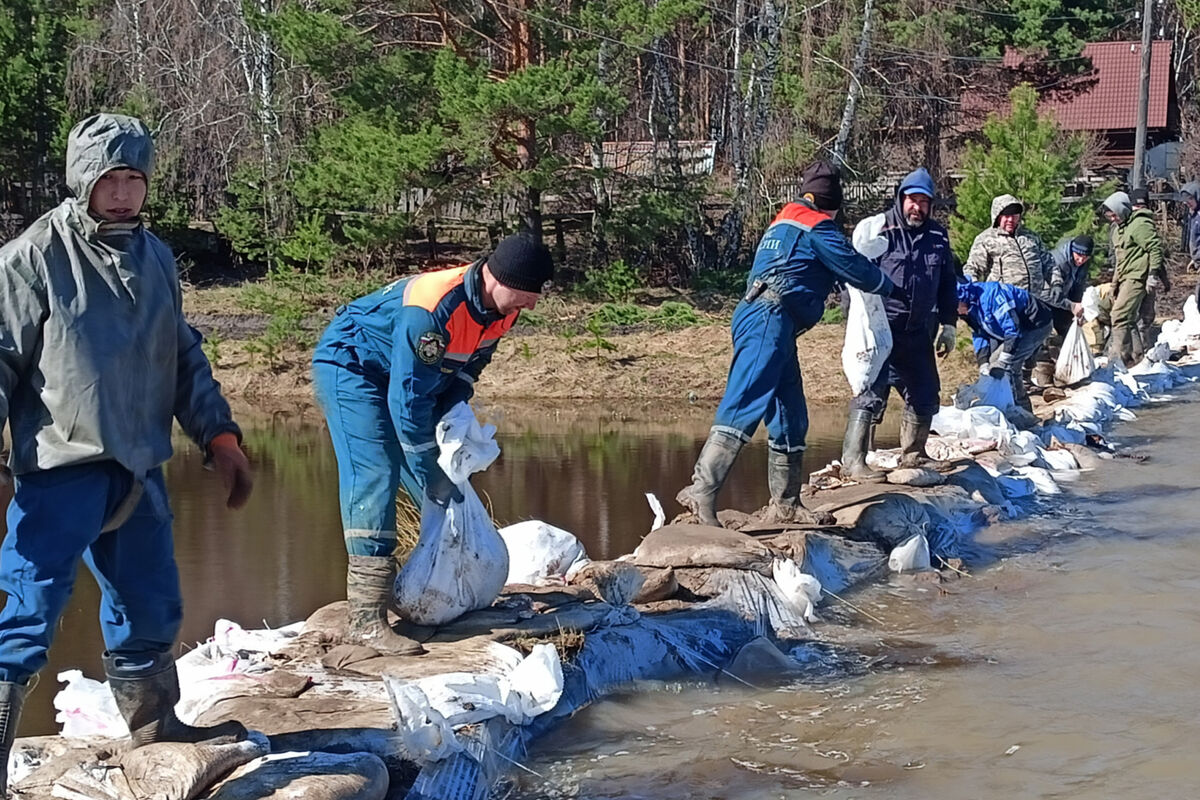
(460, 563)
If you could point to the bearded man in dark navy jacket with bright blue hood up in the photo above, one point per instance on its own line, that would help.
(919, 260)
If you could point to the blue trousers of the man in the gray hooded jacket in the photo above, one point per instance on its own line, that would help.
(55, 520)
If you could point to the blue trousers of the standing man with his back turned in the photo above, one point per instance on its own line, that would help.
(765, 382)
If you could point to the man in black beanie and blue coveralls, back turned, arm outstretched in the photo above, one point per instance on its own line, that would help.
(799, 260)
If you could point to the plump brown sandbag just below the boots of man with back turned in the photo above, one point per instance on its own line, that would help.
(701, 546)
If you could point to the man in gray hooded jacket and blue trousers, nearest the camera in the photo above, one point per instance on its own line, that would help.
(97, 360)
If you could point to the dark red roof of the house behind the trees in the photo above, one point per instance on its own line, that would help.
(1112, 103)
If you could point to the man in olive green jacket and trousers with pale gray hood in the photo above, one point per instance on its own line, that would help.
(1139, 255)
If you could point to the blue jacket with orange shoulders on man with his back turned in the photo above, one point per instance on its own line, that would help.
(801, 256)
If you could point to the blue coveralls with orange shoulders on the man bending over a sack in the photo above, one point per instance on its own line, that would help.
(386, 371)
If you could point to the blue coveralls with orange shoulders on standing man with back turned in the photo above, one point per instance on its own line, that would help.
(799, 260)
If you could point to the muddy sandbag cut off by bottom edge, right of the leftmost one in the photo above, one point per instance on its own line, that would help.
(309, 777)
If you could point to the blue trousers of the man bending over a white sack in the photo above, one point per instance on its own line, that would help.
(371, 464)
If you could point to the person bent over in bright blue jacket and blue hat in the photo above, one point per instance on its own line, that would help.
(1010, 326)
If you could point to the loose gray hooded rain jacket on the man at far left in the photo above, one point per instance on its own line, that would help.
(95, 356)
